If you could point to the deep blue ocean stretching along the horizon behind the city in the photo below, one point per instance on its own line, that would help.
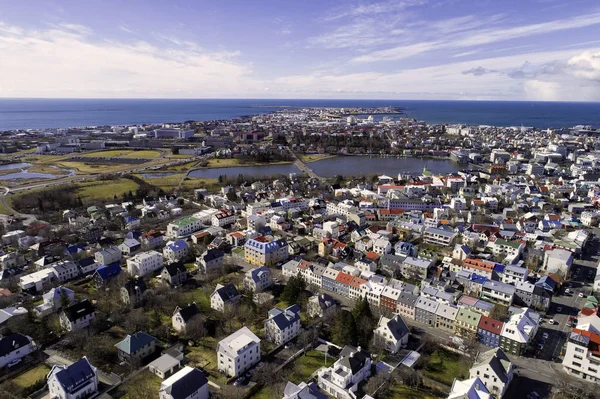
(60, 113)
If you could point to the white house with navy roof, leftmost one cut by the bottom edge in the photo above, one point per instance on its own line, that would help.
(79, 380)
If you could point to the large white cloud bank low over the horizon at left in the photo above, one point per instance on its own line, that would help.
(68, 61)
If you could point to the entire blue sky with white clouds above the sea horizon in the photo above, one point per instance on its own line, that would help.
(404, 49)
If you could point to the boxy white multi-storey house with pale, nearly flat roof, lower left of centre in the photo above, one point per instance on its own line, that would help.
(238, 352)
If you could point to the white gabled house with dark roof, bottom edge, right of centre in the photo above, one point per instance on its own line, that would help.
(495, 370)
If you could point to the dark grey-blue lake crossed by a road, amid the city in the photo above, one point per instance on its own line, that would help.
(331, 167)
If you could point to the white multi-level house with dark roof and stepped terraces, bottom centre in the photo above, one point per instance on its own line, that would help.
(341, 380)
